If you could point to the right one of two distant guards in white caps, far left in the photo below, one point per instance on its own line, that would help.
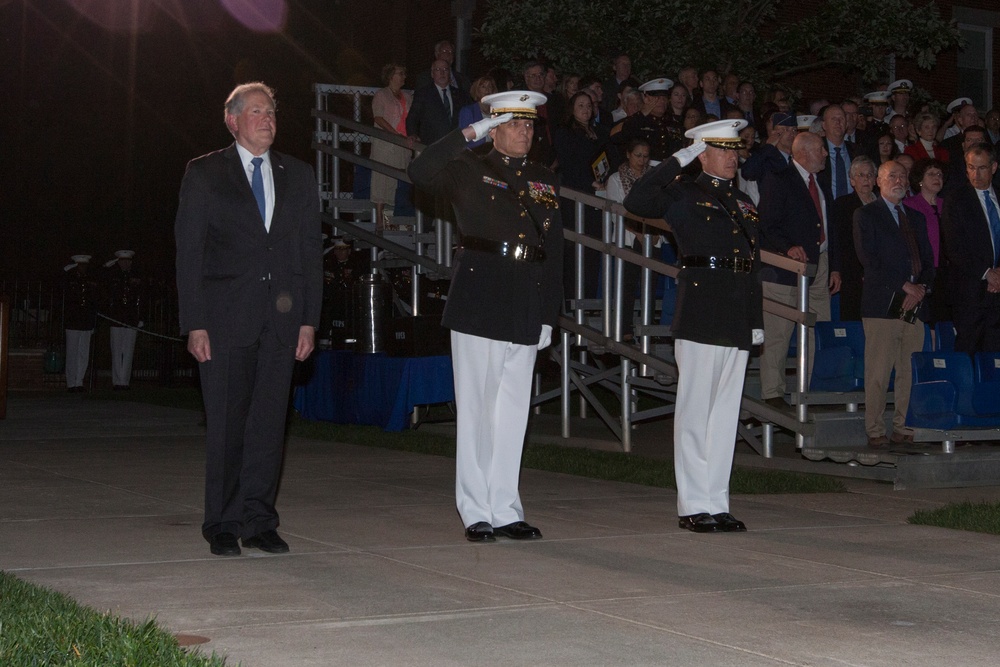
(124, 292)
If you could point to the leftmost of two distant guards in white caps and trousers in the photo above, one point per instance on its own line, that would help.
(79, 319)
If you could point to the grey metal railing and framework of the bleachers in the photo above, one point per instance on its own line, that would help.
(592, 328)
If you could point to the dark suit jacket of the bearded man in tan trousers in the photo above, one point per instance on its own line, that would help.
(882, 250)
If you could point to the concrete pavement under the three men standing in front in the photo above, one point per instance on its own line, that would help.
(102, 500)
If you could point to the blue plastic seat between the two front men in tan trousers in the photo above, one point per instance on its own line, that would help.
(840, 357)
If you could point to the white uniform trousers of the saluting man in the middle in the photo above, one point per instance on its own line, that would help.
(493, 397)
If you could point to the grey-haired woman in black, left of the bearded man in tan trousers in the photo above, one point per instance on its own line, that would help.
(862, 176)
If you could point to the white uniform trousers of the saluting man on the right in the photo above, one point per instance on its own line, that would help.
(709, 391)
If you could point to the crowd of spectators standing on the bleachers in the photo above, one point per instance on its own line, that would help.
(594, 125)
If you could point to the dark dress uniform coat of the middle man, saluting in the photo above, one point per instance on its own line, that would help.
(492, 296)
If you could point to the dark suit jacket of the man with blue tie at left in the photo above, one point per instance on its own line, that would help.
(233, 276)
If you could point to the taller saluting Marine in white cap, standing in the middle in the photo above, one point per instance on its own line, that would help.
(505, 299)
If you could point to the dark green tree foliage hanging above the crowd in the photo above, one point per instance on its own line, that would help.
(745, 36)
